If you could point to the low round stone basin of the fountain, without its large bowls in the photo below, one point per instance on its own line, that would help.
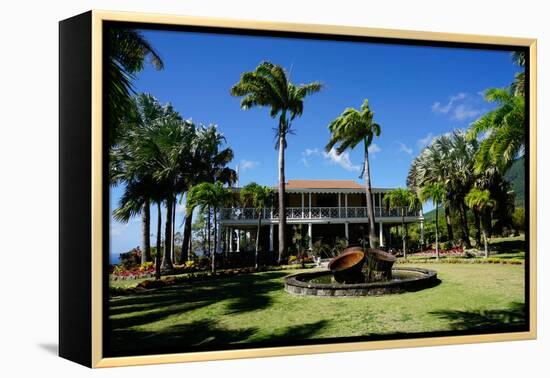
(320, 283)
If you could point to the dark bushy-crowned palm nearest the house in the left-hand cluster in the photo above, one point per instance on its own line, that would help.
(207, 162)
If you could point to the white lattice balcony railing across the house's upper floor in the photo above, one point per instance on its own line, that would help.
(299, 213)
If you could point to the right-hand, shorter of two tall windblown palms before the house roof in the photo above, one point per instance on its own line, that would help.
(347, 131)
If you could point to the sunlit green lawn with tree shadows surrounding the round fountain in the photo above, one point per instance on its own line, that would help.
(255, 308)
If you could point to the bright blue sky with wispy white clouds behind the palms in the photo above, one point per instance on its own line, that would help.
(416, 93)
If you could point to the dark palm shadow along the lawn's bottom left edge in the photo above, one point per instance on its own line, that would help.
(200, 335)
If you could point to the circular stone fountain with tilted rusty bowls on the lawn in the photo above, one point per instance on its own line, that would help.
(355, 273)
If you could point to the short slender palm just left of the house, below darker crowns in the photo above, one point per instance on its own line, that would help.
(209, 196)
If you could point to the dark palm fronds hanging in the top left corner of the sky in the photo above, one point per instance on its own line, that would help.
(127, 53)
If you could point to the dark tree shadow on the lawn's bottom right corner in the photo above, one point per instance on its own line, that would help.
(485, 320)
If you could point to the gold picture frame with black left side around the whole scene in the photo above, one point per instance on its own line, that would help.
(92, 23)
